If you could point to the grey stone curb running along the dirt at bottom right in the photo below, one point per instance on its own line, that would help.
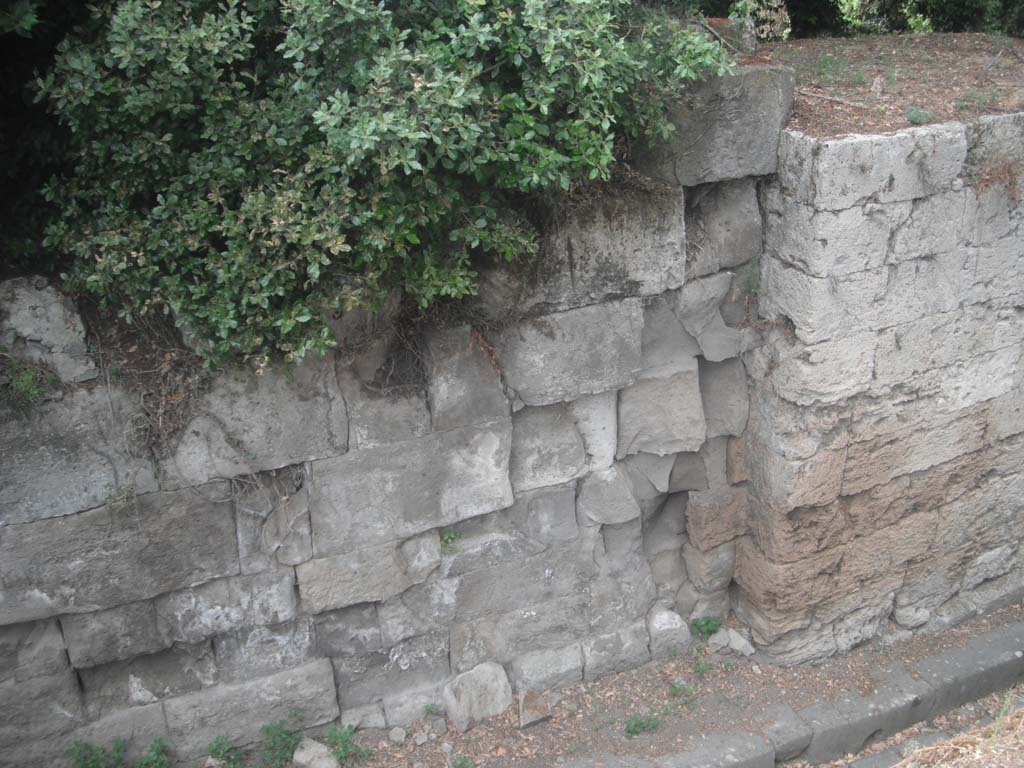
(828, 732)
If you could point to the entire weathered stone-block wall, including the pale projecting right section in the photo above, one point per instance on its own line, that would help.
(562, 494)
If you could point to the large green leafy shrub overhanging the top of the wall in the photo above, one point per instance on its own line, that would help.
(254, 166)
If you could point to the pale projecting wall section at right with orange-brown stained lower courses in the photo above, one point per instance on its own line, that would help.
(887, 431)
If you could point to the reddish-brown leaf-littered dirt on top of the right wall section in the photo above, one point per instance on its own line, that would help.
(883, 83)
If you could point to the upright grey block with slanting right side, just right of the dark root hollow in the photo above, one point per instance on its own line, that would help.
(464, 386)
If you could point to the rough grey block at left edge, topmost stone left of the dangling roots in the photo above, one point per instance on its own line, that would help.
(39, 325)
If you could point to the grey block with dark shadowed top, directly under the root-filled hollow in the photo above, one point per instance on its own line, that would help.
(383, 392)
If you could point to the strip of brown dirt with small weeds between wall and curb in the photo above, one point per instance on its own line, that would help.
(696, 694)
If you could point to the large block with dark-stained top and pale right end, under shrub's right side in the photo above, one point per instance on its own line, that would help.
(632, 244)
